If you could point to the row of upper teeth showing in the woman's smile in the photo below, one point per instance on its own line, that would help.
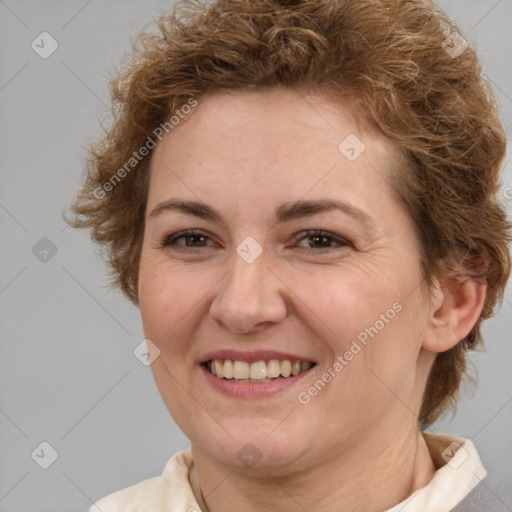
(259, 370)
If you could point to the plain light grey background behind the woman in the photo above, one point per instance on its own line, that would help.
(68, 373)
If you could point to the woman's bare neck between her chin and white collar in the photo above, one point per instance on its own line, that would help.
(378, 475)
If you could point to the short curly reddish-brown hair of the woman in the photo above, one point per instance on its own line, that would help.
(405, 67)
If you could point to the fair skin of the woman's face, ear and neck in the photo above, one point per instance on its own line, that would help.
(356, 442)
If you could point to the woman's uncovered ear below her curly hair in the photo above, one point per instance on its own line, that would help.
(455, 308)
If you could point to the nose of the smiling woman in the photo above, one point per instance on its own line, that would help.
(251, 297)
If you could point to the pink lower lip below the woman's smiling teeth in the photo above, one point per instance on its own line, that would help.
(236, 389)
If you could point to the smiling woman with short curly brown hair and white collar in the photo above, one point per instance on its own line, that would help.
(300, 196)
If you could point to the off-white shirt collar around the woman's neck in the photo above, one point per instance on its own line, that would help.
(460, 471)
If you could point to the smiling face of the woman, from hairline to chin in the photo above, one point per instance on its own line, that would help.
(300, 252)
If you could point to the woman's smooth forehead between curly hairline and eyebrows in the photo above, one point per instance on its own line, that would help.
(270, 144)
